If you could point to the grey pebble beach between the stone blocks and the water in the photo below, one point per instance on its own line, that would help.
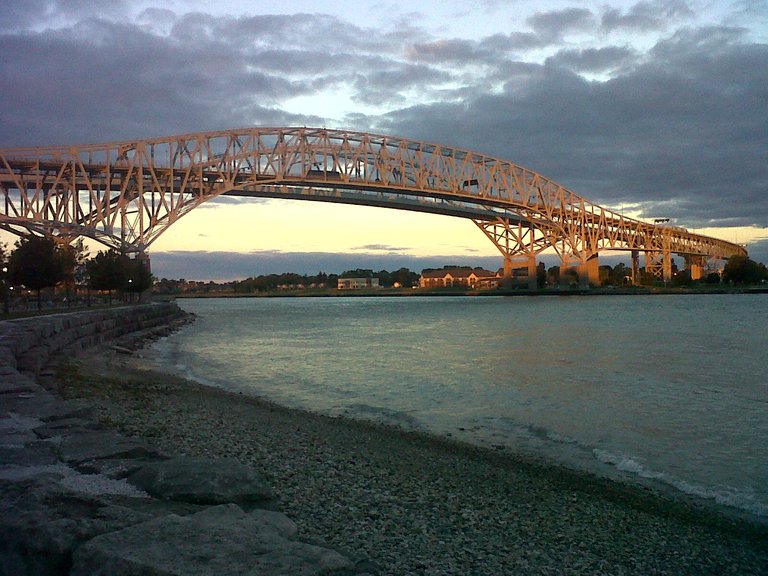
(407, 503)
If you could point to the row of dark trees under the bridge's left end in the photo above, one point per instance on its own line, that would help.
(36, 263)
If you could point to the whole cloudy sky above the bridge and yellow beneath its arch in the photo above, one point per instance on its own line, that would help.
(656, 108)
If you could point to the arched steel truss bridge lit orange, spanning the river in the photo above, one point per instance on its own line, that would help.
(126, 194)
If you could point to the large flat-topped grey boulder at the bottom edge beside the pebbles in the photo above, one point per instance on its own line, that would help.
(220, 540)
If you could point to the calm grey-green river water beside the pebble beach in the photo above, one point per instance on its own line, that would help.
(669, 389)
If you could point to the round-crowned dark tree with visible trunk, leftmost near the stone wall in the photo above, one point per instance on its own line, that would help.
(36, 263)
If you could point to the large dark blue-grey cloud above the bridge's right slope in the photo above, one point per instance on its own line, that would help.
(684, 131)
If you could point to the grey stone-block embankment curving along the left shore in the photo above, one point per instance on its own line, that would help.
(78, 498)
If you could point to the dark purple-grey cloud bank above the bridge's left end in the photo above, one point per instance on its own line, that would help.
(103, 80)
